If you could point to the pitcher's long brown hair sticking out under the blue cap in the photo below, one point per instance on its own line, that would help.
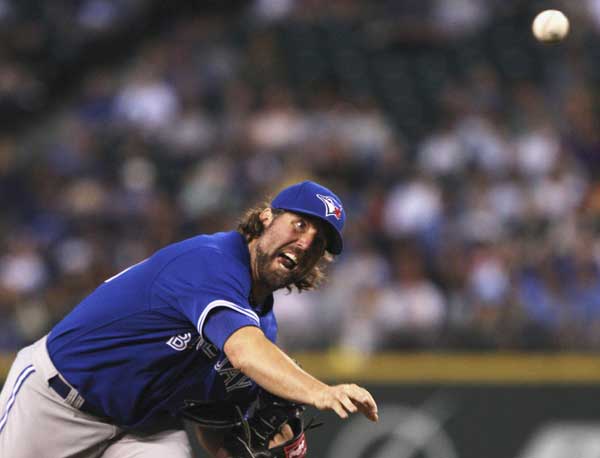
(251, 227)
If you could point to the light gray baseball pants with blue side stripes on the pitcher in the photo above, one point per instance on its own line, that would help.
(36, 422)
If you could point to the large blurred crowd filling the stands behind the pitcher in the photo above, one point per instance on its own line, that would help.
(467, 156)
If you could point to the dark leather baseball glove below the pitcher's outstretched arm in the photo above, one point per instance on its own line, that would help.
(248, 436)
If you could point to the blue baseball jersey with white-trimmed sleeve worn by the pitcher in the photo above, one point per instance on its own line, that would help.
(153, 335)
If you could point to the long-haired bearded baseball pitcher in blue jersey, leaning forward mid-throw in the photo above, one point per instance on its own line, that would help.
(193, 321)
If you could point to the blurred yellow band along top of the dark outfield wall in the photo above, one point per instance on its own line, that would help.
(441, 368)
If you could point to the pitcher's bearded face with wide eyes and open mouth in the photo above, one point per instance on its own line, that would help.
(288, 249)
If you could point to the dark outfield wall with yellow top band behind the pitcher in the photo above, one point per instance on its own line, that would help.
(461, 405)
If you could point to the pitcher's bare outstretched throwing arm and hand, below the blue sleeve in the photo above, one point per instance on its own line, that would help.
(257, 357)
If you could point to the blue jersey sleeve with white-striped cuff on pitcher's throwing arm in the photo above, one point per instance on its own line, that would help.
(200, 283)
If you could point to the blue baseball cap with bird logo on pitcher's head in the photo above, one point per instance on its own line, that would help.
(313, 199)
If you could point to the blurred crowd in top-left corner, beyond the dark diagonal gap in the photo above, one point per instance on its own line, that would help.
(44, 47)
